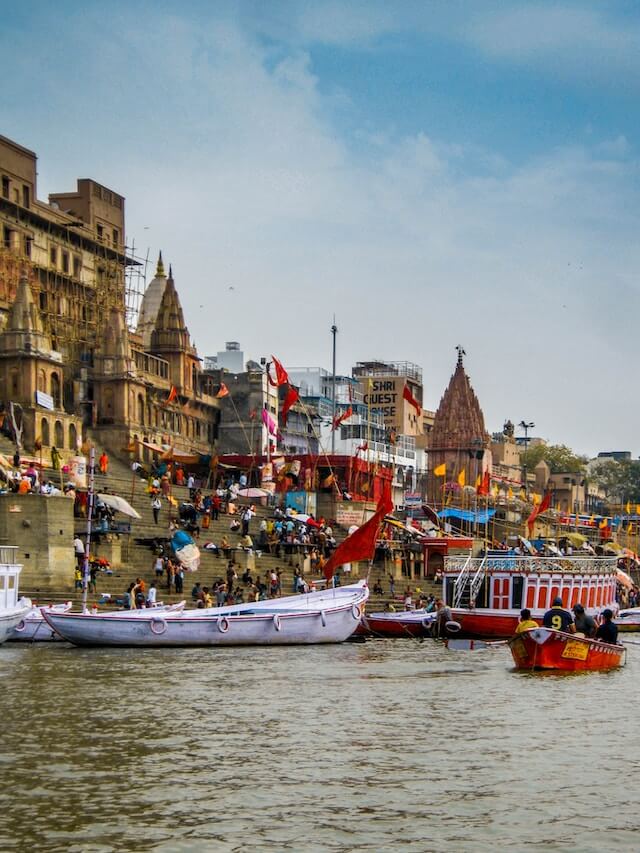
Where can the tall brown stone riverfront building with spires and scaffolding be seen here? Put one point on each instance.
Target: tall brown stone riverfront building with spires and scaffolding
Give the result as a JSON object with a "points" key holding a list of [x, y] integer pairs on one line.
{"points": [[74, 360]]}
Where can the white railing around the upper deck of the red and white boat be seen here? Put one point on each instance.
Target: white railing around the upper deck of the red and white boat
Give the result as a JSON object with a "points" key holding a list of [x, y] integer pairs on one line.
{"points": [[463, 566]]}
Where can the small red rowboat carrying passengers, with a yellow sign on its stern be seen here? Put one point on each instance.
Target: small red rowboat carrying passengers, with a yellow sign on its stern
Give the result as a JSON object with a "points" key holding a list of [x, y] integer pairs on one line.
{"points": [[544, 648]]}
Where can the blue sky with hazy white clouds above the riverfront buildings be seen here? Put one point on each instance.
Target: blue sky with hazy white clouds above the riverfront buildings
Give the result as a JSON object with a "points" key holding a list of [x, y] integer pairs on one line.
{"points": [[431, 173]]}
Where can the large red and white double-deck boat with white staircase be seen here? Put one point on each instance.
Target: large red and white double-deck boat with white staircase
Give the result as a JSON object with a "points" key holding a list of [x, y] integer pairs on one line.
{"points": [[486, 594]]}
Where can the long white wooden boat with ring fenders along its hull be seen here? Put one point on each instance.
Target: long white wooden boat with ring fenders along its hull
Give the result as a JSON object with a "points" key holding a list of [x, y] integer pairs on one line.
{"points": [[326, 616]]}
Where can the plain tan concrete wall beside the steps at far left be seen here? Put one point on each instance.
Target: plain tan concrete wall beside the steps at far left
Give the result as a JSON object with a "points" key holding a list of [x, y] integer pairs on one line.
{"points": [[42, 528]]}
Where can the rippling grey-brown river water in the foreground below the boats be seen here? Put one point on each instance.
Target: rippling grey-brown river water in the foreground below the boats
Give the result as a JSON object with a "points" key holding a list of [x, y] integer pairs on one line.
{"points": [[378, 746]]}
